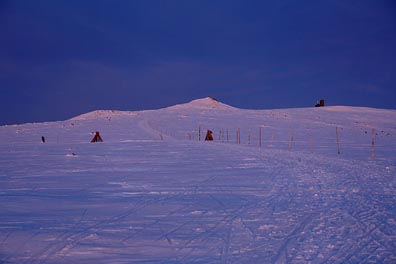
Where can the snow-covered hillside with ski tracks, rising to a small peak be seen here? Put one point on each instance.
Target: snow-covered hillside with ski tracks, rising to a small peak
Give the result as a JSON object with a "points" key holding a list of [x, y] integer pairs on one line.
{"points": [[275, 186]]}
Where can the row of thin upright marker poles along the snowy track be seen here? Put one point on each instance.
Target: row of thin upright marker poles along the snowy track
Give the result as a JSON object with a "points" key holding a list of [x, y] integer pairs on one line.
{"points": [[225, 137]]}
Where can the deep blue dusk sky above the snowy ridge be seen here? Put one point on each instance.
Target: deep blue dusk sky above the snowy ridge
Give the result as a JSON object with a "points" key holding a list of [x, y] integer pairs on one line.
{"points": [[61, 58]]}
